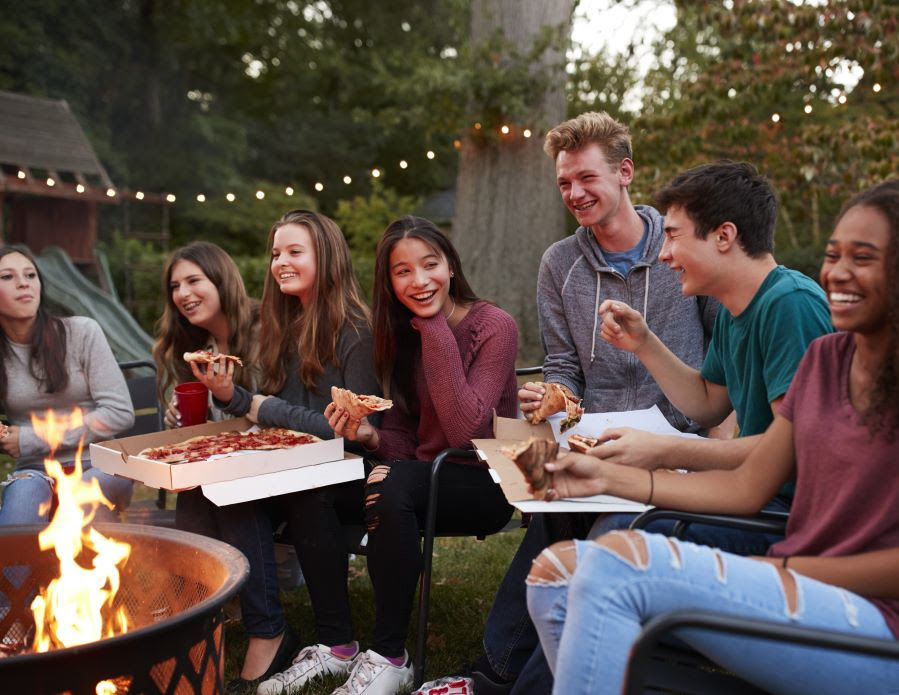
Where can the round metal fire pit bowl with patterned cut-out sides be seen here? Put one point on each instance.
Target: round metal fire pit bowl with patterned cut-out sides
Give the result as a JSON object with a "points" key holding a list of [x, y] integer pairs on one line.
{"points": [[172, 591]]}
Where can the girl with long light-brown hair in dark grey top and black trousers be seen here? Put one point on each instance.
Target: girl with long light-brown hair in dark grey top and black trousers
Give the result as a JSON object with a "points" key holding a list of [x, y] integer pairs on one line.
{"points": [[315, 334]]}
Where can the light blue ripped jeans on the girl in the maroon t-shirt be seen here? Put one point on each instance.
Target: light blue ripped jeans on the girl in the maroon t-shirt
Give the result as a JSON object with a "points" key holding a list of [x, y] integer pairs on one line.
{"points": [[611, 598]]}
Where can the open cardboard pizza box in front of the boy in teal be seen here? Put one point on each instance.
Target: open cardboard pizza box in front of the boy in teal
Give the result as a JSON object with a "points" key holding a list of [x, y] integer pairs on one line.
{"points": [[504, 471]]}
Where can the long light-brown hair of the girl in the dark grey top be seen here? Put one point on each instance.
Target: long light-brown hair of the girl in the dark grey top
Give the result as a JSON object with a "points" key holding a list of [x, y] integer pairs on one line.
{"points": [[313, 331]]}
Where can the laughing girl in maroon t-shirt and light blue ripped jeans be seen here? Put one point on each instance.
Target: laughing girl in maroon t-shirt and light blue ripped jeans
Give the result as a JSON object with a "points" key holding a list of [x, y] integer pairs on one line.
{"points": [[837, 432]]}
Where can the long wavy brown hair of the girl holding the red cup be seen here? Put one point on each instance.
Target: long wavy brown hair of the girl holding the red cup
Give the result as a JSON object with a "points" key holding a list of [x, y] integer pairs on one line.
{"points": [[177, 335]]}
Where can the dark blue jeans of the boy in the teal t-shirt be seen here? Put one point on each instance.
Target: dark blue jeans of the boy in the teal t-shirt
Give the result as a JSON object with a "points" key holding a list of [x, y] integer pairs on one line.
{"points": [[510, 640]]}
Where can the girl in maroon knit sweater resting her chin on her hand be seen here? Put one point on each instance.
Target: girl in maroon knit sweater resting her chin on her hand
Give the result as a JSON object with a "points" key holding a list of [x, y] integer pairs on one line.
{"points": [[447, 360]]}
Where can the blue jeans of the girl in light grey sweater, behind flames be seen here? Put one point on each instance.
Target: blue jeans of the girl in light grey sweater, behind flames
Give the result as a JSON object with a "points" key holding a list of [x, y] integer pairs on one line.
{"points": [[25, 491]]}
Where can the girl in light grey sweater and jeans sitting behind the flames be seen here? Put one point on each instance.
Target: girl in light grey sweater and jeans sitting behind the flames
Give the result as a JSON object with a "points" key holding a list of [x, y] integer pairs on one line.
{"points": [[52, 363]]}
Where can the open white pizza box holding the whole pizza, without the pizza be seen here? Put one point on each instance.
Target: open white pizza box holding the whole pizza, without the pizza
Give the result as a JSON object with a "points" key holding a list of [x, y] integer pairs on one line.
{"points": [[119, 457]]}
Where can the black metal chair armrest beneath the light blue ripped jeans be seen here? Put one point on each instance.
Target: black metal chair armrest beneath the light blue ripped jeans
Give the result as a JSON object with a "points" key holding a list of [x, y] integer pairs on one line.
{"points": [[662, 626]]}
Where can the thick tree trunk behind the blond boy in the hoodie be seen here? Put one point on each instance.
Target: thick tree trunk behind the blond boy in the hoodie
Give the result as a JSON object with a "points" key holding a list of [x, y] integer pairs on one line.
{"points": [[508, 209]]}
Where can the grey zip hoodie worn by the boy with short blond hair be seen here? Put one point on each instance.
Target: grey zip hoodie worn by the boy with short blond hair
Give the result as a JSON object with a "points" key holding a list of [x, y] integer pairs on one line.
{"points": [[574, 279]]}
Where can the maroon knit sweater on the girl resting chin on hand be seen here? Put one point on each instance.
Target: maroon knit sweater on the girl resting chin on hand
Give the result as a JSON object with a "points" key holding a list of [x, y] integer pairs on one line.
{"points": [[463, 375]]}
